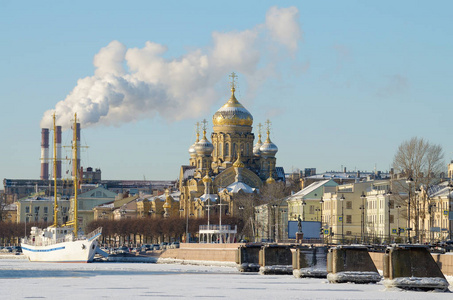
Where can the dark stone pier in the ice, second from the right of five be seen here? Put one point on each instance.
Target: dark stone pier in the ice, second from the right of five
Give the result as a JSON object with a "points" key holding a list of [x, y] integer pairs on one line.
{"points": [[351, 264]]}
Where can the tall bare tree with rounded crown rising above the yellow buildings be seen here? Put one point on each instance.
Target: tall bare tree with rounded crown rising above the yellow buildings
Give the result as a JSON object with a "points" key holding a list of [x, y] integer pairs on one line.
{"points": [[422, 162]]}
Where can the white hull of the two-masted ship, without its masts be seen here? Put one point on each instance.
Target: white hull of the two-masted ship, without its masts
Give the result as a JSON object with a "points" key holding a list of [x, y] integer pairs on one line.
{"points": [[80, 251]]}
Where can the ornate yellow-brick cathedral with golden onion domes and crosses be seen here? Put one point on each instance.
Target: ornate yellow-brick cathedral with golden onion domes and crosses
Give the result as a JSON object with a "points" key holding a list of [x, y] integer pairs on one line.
{"points": [[229, 165]]}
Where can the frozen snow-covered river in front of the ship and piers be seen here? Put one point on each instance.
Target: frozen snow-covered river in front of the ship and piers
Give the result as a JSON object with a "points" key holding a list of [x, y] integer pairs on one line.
{"points": [[21, 279]]}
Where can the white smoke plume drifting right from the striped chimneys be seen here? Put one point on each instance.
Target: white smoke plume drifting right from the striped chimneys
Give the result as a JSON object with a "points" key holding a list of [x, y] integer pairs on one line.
{"points": [[137, 83]]}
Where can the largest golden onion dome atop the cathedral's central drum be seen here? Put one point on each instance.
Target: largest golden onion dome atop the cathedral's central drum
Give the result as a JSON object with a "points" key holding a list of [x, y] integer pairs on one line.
{"points": [[232, 113]]}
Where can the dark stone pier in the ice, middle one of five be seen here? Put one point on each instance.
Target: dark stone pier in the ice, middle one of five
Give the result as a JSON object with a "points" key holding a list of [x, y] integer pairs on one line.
{"points": [[309, 262]]}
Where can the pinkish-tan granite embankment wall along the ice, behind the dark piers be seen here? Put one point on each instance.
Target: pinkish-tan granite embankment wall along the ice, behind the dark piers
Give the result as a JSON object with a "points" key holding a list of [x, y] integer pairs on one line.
{"points": [[227, 253]]}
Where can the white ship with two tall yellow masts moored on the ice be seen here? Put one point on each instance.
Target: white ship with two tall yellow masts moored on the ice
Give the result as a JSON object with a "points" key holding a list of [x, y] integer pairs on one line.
{"points": [[61, 243]]}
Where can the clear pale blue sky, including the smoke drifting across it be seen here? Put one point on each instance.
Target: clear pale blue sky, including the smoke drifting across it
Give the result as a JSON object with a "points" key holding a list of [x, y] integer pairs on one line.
{"points": [[343, 82]]}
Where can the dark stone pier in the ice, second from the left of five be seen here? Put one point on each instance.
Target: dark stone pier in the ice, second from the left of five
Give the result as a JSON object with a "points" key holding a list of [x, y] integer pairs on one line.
{"points": [[275, 259]]}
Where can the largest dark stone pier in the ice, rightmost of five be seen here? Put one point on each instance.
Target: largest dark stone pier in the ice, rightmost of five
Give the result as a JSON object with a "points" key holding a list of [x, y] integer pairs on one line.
{"points": [[412, 267]]}
